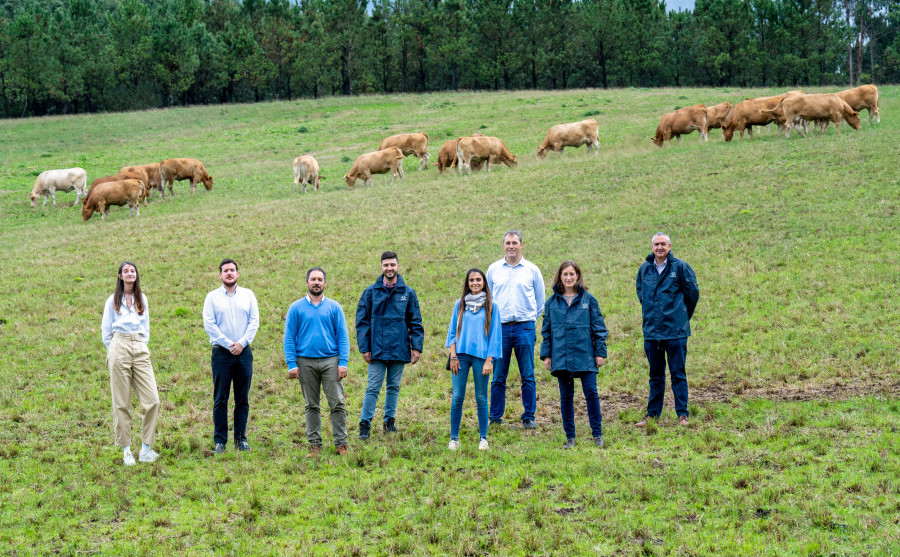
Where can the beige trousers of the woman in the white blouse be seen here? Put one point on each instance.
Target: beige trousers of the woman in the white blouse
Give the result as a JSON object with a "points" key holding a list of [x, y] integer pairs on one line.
{"points": [[129, 367]]}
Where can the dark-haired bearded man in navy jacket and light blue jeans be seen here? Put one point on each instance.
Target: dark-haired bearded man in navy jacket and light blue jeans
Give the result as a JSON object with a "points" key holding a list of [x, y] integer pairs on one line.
{"points": [[389, 334]]}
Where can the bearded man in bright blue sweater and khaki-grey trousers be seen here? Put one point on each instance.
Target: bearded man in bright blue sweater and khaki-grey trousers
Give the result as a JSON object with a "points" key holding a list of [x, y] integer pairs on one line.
{"points": [[316, 350]]}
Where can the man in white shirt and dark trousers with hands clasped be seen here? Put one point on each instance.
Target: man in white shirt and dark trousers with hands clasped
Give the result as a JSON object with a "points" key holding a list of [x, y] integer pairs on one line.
{"points": [[231, 319]]}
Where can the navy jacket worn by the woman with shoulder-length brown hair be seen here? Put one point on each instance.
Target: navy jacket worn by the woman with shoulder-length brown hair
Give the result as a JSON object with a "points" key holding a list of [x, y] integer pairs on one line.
{"points": [[573, 335]]}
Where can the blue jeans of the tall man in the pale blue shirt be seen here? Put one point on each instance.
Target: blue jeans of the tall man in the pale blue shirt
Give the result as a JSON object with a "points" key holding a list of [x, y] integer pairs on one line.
{"points": [[519, 337]]}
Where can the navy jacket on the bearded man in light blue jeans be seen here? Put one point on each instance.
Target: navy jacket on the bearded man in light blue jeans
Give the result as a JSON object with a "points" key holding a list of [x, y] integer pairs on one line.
{"points": [[388, 322]]}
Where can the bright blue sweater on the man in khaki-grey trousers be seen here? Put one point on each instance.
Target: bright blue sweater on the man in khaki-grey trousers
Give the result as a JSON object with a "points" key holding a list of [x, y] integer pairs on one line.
{"points": [[315, 332]]}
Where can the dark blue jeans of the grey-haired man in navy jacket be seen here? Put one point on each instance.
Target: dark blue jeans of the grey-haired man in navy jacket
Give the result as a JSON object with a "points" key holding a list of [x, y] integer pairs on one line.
{"points": [[658, 353]]}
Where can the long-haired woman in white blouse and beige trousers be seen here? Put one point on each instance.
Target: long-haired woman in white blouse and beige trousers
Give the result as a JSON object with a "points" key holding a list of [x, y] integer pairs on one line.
{"points": [[126, 331]]}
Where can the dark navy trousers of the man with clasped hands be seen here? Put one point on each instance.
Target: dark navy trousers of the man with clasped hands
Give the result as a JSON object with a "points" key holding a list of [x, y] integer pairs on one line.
{"points": [[228, 369]]}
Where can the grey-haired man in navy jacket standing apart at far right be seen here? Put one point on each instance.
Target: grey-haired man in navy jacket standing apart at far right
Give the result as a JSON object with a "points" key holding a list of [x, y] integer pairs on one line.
{"points": [[667, 289]]}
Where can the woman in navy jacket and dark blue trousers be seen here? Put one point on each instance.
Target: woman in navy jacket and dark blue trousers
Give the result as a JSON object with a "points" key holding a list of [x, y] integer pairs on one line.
{"points": [[574, 345]]}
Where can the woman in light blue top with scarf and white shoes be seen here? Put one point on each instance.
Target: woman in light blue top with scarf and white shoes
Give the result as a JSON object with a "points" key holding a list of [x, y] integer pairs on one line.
{"points": [[474, 339]]}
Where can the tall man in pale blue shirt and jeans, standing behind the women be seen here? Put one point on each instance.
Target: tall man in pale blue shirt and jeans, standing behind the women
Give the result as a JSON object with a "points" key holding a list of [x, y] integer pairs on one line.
{"points": [[517, 288]]}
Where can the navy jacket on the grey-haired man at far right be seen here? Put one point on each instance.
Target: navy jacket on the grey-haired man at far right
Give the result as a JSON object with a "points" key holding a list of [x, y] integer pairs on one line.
{"points": [[667, 300]]}
